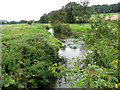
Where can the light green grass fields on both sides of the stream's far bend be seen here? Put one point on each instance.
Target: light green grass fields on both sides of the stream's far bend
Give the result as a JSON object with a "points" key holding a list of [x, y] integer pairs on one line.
{"points": [[17, 30]]}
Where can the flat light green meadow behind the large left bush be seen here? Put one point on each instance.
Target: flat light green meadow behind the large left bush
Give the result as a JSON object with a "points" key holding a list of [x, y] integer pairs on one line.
{"points": [[17, 30]]}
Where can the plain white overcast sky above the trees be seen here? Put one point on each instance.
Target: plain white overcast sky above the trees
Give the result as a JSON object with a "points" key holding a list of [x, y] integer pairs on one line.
{"points": [[33, 9]]}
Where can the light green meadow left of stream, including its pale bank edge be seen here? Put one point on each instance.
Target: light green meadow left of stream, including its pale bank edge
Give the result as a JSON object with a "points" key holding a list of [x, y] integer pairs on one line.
{"points": [[21, 31]]}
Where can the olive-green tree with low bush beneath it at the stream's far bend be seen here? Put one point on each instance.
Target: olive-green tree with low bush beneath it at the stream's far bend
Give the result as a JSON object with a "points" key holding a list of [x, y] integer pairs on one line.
{"points": [[57, 19]]}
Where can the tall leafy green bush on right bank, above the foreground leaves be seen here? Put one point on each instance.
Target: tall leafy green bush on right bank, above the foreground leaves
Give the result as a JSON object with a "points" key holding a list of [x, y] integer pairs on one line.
{"points": [[103, 40]]}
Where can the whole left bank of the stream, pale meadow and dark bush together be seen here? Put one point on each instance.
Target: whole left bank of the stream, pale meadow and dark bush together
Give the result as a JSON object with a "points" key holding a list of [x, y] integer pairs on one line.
{"points": [[28, 51]]}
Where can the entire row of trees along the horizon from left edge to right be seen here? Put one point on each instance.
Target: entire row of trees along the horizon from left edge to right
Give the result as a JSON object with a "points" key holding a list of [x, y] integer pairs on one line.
{"points": [[73, 12]]}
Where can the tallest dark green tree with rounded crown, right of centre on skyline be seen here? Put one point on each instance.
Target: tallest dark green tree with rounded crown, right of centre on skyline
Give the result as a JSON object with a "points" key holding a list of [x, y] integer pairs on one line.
{"points": [[77, 11]]}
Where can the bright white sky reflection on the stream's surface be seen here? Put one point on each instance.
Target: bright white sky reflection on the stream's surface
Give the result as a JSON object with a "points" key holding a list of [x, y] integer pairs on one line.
{"points": [[73, 48]]}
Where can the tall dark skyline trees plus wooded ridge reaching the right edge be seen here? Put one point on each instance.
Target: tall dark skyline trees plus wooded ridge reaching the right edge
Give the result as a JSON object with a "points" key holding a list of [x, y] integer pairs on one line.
{"points": [[76, 12]]}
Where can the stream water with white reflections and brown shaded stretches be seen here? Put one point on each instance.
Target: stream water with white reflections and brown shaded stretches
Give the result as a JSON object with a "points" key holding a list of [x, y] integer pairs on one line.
{"points": [[73, 48]]}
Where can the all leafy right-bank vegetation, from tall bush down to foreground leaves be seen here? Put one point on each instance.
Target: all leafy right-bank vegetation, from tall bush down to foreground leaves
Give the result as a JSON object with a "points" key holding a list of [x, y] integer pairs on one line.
{"points": [[99, 69]]}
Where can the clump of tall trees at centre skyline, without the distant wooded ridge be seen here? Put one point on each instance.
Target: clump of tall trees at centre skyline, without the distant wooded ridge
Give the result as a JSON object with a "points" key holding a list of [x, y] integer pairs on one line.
{"points": [[70, 13]]}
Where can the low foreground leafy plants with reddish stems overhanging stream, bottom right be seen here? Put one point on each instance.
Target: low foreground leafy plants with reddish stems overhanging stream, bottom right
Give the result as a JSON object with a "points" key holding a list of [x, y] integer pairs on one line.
{"points": [[87, 77]]}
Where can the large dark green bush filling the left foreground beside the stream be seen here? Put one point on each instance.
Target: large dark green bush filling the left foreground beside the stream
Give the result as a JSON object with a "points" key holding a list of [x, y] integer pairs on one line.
{"points": [[25, 62]]}
